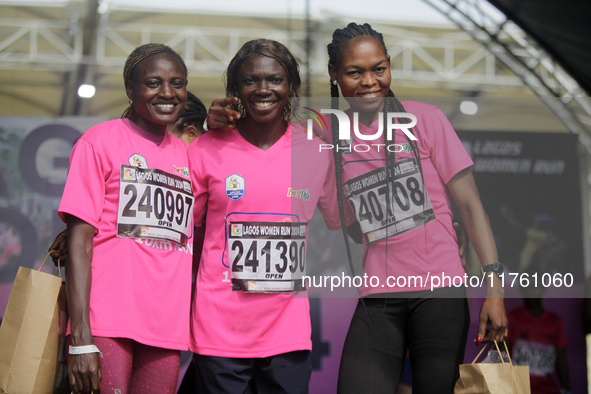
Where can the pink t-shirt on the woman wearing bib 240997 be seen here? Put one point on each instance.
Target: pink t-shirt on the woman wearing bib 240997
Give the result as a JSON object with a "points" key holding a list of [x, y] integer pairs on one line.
{"points": [[141, 288]]}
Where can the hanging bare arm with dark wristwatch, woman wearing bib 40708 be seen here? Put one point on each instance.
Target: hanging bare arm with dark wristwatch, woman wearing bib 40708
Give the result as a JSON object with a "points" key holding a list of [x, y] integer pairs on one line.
{"points": [[465, 194]]}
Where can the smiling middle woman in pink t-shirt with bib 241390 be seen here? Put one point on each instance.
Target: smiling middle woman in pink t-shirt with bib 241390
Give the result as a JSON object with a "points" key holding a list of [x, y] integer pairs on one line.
{"points": [[250, 331]]}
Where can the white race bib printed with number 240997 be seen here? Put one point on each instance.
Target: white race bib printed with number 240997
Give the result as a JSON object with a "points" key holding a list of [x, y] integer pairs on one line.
{"points": [[154, 204]]}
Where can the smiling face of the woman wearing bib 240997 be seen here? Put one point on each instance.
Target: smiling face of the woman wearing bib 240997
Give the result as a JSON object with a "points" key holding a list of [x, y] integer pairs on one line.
{"points": [[159, 92]]}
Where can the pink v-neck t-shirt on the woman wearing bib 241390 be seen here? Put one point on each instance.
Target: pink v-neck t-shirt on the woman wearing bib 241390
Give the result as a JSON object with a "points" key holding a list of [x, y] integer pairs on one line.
{"points": [[248, 194]]}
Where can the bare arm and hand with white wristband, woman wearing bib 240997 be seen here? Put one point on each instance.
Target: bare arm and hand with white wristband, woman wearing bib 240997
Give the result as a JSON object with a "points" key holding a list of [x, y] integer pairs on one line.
{"points": [[84, 369]]}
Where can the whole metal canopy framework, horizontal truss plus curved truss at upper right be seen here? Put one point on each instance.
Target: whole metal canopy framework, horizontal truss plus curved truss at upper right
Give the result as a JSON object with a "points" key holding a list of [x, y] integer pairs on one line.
{"points": [[490, 54]]}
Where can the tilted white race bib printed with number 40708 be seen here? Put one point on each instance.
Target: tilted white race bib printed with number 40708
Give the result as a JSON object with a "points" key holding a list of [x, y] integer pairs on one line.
{"points": [[386, 209]]}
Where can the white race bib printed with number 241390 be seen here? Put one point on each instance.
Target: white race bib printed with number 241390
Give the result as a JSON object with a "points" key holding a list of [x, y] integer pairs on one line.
{"points": [[267, 257]]}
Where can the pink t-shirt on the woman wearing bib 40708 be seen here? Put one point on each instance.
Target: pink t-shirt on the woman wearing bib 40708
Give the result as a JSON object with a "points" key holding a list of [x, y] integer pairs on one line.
{"points": [[423, 244]]}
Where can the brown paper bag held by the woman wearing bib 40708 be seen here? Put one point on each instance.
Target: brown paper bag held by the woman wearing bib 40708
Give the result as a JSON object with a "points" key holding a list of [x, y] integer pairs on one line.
{"points": [[483, 378]]}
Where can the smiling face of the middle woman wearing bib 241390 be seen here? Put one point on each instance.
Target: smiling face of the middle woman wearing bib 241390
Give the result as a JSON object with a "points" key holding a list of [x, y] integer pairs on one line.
{"points": [[263, 89]]}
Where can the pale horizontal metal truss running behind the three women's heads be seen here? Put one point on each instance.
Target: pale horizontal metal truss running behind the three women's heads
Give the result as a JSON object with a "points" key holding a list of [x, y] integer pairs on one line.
{"points": [[440, 57]]}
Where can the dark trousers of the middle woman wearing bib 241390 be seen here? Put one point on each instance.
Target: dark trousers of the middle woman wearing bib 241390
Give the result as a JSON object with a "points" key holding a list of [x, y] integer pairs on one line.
{"points": [[287, 373]]}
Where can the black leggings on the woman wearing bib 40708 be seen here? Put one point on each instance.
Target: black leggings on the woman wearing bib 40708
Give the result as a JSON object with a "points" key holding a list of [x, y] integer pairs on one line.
{"points": [[433, 329]]}
